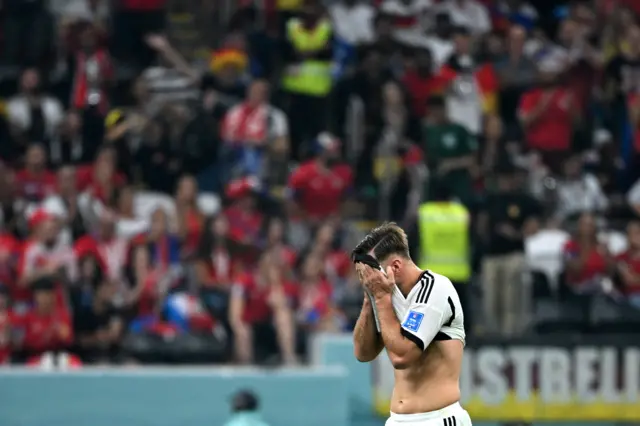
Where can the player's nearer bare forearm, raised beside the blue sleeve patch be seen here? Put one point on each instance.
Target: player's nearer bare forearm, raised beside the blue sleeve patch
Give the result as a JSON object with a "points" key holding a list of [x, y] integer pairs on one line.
{"points": [[398, 347]]}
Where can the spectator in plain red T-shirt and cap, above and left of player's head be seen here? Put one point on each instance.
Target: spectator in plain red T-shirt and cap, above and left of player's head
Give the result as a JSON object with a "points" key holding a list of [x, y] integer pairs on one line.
{"points": [[318, 187]]}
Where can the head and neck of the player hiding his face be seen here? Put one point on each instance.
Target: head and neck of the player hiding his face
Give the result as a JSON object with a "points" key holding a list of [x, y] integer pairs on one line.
{"points": [[388, 245]]}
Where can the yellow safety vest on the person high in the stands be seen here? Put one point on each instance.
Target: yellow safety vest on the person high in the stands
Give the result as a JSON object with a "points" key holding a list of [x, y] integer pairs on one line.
{"points": [[311, 77]]}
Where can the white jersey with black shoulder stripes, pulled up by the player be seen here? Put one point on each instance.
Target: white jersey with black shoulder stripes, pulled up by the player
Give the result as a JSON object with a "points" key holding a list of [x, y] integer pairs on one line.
{"points": [[431, 311]]}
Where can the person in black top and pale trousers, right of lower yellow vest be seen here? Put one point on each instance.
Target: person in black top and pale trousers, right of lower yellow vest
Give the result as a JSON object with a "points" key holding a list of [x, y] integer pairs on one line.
{"points": [[507, 216]]}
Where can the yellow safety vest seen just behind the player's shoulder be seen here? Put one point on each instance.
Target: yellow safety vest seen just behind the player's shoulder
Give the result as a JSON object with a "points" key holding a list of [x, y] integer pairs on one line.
{"points": [[444, 239]]}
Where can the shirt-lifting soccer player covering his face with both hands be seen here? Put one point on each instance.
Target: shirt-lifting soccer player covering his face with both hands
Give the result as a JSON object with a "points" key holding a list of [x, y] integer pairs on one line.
{"points": [[417, 317]]}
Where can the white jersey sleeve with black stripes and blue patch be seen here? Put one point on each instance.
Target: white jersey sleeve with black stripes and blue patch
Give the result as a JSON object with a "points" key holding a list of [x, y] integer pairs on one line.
{"points": [[427, 314]]}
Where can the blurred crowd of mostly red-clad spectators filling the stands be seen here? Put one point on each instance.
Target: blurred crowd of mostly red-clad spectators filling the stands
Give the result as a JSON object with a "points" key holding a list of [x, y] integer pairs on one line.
{"points": [[181, 181]]}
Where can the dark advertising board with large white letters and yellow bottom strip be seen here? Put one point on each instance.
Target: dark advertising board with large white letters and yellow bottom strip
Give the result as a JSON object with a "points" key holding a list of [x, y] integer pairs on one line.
{"points": [[541, 380]]}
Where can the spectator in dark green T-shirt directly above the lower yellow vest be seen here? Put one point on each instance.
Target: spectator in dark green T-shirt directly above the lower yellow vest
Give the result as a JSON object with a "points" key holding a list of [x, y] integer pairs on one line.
{"points": [[450, 152]]}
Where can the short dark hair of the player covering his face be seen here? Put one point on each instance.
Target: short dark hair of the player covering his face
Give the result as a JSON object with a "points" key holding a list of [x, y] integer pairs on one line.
{"points": [[383, 241]]}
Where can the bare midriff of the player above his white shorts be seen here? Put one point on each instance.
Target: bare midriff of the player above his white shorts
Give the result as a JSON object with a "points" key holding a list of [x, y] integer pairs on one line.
{"points": [[432, 383]]}
